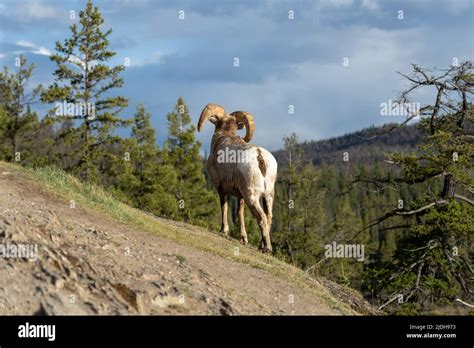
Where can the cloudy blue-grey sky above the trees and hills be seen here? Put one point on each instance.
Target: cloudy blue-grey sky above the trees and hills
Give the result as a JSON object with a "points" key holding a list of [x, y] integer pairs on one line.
{"points": [[289, 52]]}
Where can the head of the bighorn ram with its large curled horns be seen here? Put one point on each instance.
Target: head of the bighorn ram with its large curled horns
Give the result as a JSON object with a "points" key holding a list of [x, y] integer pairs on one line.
{"points": [[227, 124]]}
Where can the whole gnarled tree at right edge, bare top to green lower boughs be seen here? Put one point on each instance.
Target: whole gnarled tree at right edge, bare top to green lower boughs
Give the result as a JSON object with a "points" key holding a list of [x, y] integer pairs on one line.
{"points": [[444, 164]]}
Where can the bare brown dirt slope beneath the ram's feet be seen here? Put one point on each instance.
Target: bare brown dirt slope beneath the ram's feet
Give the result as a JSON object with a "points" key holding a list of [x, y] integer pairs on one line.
{"points": [[89, 263]]}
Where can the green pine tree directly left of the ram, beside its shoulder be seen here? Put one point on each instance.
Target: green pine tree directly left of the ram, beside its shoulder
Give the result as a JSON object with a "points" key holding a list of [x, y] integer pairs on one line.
{"points": [[195, 201]]}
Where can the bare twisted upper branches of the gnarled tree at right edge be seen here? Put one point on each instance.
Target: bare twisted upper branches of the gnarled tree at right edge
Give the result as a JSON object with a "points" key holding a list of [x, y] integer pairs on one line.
{"points": [[451, 111]]}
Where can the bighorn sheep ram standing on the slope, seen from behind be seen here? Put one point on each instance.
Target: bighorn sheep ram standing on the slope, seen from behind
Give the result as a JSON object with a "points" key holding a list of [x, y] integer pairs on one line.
{"points": [[243, 170]]}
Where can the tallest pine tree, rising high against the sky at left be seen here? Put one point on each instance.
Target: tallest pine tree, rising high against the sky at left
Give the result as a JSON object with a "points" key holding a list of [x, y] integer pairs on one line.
{"points": [[81, 89]]}
